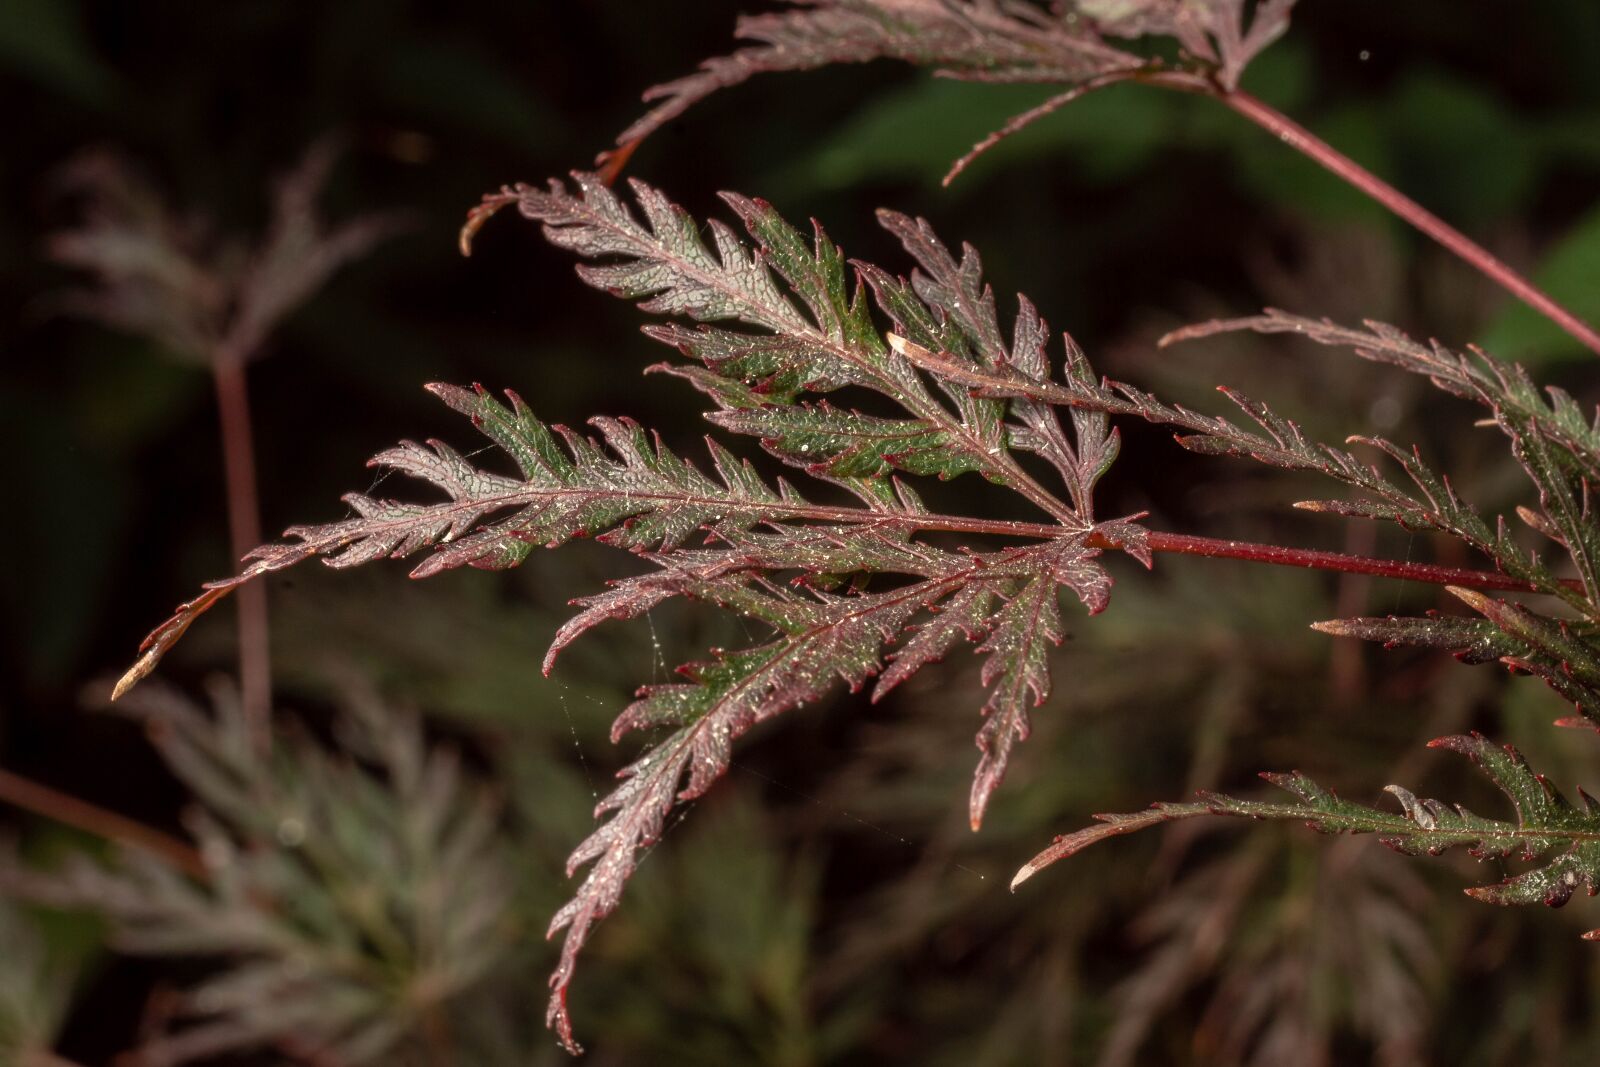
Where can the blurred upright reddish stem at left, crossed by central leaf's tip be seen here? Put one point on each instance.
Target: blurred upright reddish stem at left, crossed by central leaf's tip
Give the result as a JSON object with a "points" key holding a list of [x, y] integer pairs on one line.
{"points": [[244, 526]]}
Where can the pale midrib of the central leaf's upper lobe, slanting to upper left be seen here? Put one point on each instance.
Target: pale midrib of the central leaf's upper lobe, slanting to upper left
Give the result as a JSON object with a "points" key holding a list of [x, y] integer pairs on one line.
{"points": [[911, 393]]}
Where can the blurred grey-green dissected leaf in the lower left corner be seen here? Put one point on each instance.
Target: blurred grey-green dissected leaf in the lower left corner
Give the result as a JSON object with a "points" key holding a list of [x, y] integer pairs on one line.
{"points": [[350, 906]]}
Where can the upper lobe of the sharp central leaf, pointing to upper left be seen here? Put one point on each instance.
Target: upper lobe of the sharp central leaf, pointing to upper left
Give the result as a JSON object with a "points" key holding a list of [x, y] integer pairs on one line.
{"points": [[818, 334]]}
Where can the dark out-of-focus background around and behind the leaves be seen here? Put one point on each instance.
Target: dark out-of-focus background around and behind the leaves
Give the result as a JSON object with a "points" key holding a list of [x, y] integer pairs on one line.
{"points": [[826, 905]]}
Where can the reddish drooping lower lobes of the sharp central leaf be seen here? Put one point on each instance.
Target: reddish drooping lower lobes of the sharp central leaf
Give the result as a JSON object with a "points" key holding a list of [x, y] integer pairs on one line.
{"points": [[823, 641]]}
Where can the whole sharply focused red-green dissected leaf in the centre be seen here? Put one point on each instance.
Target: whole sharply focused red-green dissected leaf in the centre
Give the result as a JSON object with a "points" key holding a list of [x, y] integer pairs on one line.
{"points": [[838, 586]]}
